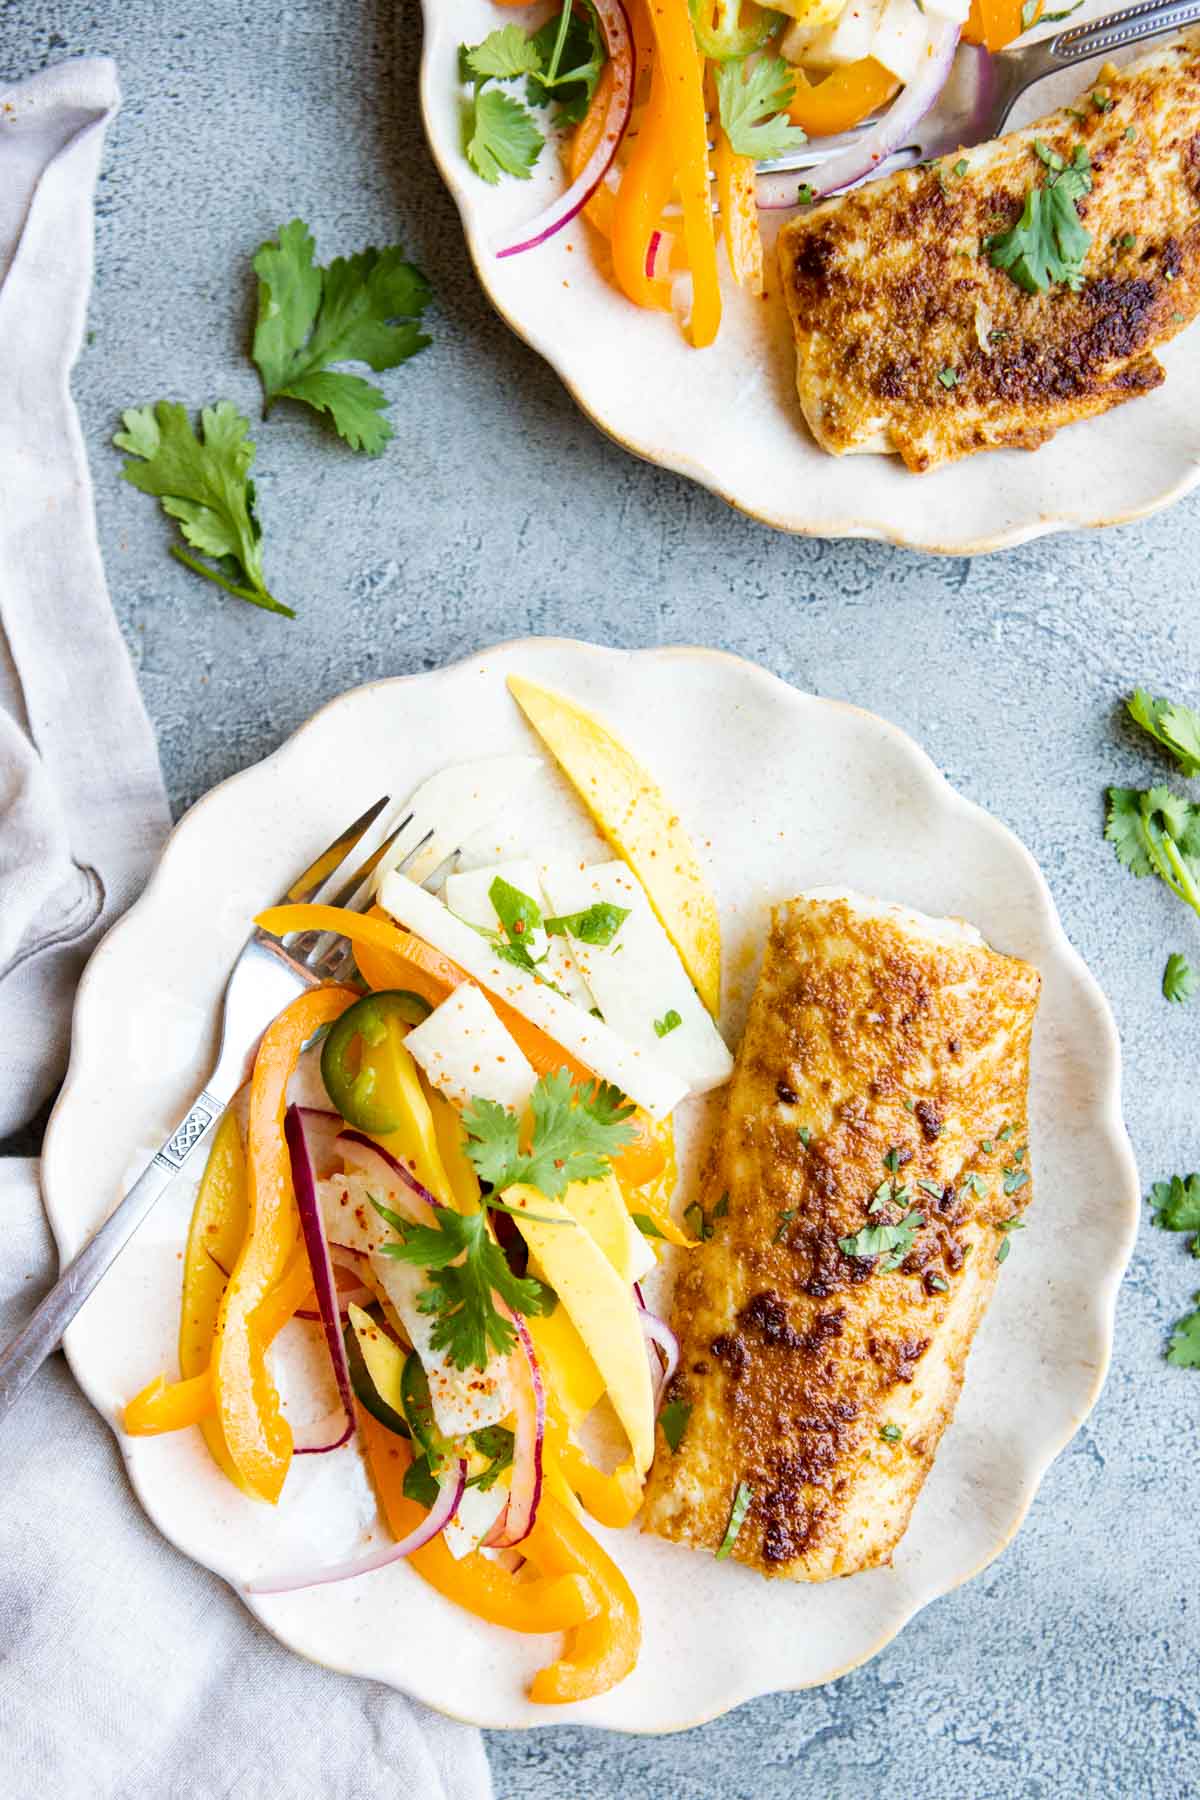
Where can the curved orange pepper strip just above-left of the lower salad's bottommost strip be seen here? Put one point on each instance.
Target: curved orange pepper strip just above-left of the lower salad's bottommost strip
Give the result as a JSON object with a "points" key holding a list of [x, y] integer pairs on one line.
{"points": [[560, 1603]]}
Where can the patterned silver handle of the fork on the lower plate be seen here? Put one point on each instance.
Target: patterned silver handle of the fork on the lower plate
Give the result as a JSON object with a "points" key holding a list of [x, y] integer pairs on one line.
{"points": [[22, 1360]]}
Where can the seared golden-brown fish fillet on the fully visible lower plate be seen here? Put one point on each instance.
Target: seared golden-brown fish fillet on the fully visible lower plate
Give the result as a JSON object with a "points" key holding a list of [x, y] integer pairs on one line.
{"points": [[882, 1048]]}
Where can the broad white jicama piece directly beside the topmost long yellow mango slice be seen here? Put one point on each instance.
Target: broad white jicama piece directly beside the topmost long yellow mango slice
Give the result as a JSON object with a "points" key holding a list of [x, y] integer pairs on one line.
{"points": [[638, 978]]}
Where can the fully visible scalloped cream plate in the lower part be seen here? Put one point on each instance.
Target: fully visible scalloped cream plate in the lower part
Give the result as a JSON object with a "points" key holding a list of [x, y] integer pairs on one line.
{"points": [[782, 793]]}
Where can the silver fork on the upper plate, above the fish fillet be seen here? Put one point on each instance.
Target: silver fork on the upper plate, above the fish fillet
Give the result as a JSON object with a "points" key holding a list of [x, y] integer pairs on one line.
{"points": [[983, 89]]}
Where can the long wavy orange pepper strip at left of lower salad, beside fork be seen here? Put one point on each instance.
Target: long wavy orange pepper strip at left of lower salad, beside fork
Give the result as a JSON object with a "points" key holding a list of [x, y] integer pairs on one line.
{"points": [[256, 1432]]}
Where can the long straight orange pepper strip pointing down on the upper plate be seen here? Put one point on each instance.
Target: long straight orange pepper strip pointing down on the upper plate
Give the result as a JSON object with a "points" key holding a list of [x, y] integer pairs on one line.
{"points": [[688, 136]]}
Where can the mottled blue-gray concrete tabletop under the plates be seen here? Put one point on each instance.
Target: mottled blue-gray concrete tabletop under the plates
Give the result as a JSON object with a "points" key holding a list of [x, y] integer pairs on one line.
{"points": [[1071, 1668]]}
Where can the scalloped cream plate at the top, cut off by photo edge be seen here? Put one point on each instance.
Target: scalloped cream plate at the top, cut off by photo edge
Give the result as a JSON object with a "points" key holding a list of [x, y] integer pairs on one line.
{"points": [[730, 417]]}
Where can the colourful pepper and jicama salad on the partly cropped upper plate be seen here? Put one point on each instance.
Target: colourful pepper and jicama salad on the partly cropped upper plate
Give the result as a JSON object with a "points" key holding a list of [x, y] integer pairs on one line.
{"points": [[670, 114]]}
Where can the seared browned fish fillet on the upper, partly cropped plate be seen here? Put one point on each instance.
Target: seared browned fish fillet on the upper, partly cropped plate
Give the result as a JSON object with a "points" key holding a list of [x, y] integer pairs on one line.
{"points": [[909, 339]]}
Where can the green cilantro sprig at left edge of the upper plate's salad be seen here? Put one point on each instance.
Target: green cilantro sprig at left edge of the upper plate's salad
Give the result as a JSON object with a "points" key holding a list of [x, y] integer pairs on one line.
{"points": [[560, 64]]}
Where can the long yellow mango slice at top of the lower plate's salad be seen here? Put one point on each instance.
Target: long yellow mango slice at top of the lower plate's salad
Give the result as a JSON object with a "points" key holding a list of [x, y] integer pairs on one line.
{"points": [[634, 814]]}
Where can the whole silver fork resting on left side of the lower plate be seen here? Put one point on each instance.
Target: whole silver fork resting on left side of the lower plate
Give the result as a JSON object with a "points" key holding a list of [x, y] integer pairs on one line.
{"points": [[265, 978]]}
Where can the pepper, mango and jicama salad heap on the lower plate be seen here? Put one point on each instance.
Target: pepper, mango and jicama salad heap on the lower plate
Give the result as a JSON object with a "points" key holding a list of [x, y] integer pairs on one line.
{"points": [[469, 1214]]}
